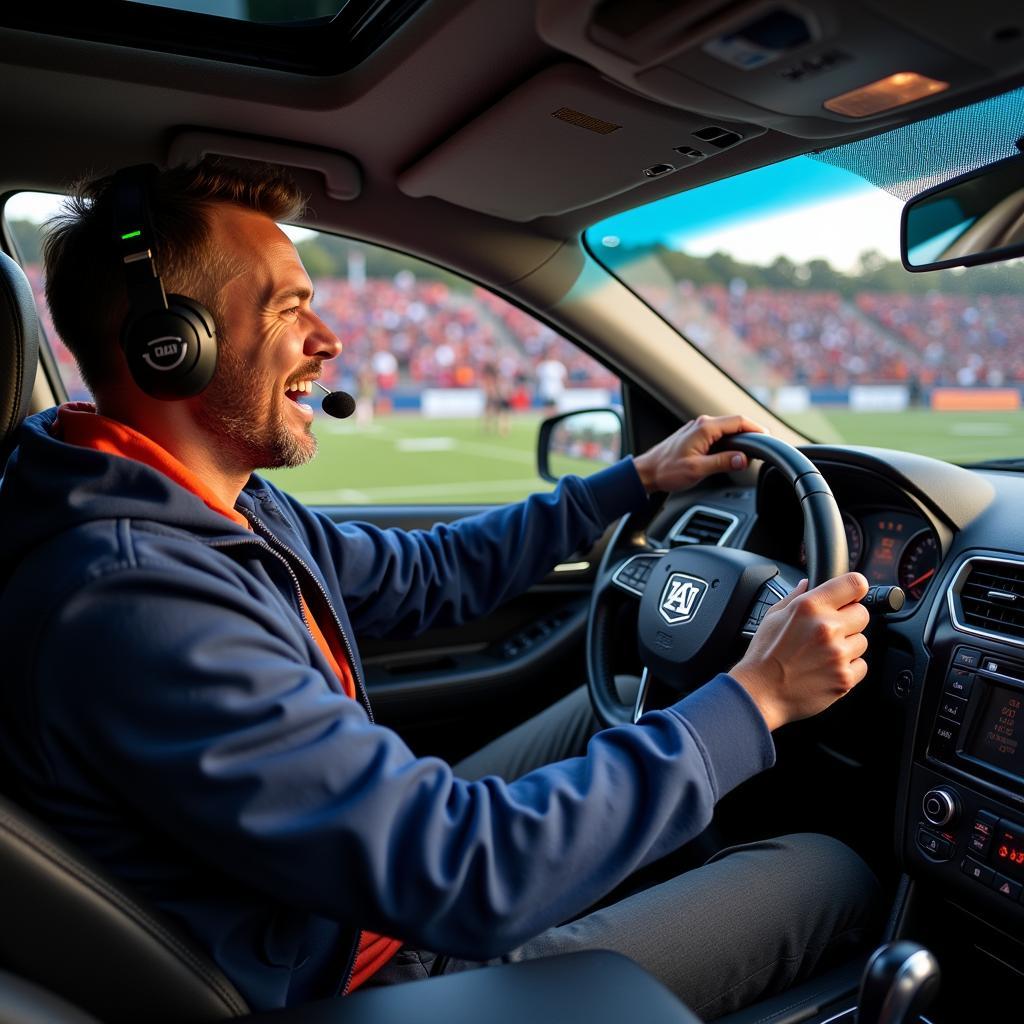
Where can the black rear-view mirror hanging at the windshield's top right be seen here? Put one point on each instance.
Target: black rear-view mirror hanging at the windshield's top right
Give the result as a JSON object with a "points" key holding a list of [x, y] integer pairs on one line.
{"points": [[976, 219]]}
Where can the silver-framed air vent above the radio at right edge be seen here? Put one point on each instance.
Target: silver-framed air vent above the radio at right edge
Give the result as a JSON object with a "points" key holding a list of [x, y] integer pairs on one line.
{"points": [[988, 598]]}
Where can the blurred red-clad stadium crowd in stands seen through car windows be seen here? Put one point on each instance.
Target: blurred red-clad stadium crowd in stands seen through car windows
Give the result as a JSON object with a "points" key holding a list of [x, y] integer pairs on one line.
{"points": [[409, 334]]}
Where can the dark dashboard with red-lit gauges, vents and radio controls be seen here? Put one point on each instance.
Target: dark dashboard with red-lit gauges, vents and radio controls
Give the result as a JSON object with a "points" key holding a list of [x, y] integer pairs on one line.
{"points": [[948, 670]]}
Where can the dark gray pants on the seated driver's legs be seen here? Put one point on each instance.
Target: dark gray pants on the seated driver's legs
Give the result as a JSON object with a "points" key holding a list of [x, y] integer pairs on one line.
{"points": [[750, 923]]}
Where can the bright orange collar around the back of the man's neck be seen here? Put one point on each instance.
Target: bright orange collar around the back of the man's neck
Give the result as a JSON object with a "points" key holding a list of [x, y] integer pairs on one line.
{"points": [[79, 423]]}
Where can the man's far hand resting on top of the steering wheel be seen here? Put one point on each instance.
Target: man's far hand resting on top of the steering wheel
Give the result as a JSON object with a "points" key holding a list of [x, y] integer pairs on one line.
{"points": [[682, 460]]}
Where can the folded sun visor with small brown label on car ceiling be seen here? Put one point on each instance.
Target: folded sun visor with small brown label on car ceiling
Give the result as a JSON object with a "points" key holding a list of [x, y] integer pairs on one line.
{"points": [[565, 140]]}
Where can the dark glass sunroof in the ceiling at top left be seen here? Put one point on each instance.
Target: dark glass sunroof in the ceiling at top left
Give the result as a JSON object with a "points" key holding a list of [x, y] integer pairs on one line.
{"points": [[308, 37]]}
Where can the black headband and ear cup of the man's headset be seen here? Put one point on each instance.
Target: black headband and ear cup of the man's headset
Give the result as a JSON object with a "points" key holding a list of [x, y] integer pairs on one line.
{"points": [[170, 342]]}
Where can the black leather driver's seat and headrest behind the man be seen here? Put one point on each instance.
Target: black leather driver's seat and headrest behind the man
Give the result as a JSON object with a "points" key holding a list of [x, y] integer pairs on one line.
{"points": [[66, 925]]}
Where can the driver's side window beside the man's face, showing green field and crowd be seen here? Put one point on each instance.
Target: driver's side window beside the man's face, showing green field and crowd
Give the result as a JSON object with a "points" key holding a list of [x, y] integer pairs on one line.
{"points": [[451, 381]]}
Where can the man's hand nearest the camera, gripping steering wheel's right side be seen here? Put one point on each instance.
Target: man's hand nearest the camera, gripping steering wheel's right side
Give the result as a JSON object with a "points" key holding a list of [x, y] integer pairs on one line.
{"points": [[808, 651]]}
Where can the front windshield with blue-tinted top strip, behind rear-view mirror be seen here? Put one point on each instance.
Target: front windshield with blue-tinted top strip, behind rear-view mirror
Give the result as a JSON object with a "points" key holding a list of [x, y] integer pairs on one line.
{"points": [[790, 279]]}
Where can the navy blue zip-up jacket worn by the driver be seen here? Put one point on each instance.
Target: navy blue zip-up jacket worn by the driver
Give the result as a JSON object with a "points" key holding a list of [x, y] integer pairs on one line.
{"points": [[165, 708]]}
